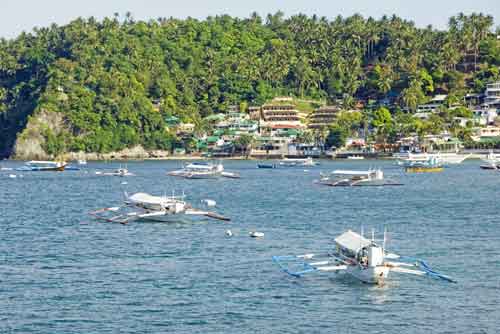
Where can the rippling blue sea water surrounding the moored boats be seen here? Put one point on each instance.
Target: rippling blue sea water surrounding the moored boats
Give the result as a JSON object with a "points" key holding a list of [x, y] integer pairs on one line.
{"points": [[61, 272]]}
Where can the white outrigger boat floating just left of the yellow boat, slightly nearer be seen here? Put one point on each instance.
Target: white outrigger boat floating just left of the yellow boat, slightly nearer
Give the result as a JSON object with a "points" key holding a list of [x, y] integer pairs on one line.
{"points": [[349, 178]]}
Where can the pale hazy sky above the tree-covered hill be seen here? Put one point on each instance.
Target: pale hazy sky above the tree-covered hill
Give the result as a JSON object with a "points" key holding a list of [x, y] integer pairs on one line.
{"points": [[23, 15]]}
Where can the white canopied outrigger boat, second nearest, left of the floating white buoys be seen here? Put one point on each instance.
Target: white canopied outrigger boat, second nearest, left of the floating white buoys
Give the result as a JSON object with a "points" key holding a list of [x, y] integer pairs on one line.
{"points": [[145, 207]]}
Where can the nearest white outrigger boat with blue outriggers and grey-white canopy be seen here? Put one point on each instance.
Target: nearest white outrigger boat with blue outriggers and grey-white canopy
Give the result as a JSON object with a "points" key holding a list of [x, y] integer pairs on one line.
{"points": [[359, 257]]}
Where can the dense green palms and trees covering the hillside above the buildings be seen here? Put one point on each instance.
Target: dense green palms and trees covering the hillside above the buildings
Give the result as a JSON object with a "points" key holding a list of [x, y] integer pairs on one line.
{"points": [[103, 76]]}
